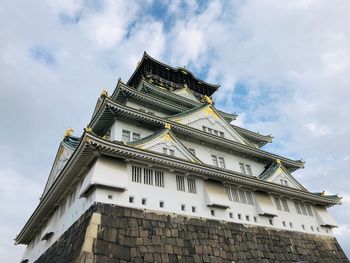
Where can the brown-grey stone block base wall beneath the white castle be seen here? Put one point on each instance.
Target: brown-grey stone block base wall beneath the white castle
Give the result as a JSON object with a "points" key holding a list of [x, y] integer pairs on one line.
{"points": [[107, 233]]}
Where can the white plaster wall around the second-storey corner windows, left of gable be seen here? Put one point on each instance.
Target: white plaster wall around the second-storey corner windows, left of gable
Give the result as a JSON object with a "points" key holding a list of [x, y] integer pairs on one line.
{"points": [[119, 126]]}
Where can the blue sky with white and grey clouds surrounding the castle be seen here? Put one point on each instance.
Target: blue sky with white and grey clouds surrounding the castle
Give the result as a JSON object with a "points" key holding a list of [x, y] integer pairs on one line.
{"points": [[283, 66]]}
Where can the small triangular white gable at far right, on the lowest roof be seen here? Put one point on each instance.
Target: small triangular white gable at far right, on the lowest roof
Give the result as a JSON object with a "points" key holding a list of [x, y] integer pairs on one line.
{"points": [[278, 174]]}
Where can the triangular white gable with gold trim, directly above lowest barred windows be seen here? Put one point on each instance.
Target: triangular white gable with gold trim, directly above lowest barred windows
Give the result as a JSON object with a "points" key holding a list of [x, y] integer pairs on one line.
{"points": [[165, 142]]}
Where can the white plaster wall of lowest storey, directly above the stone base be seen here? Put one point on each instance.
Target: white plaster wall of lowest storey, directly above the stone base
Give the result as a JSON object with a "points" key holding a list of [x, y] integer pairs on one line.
{"points": [[106, 168]]}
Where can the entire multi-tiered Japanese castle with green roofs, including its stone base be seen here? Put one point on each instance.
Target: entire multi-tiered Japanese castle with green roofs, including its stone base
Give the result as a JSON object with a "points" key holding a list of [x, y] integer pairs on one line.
{"points": [[161, 175]]}
